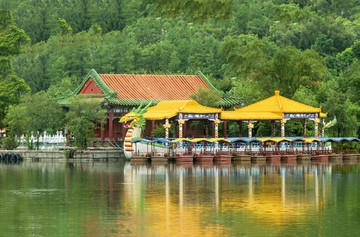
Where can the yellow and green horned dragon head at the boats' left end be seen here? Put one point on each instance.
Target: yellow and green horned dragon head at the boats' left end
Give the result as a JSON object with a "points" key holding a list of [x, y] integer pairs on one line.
{"points": [[135, 118]]}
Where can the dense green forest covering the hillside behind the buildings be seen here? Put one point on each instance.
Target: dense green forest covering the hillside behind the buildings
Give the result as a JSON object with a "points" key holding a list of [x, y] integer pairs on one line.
{"points": [[309, 50]]}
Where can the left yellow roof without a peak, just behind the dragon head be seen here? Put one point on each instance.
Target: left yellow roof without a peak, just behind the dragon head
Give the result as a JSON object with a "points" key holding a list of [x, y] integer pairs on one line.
{"points": [[169, 109]]}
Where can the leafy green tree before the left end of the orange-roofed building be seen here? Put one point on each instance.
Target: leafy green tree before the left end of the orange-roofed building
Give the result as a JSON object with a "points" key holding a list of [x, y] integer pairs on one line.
{"points": [[83, 118]]}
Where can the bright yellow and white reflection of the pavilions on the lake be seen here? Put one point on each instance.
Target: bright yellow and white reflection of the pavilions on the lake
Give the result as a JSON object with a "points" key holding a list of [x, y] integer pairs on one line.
{"points": [[174, 199]]}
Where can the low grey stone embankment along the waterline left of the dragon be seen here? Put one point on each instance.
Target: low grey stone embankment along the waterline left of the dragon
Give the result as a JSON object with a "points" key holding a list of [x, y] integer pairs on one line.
{"points": [[69, 155]]}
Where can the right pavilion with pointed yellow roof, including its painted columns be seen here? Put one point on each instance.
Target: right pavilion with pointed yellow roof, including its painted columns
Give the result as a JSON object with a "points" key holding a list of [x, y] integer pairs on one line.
{"points": [[276, 108]]}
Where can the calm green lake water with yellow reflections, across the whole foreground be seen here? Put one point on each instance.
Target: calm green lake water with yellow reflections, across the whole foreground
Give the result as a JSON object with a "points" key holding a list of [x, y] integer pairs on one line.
{"points": [[120, 199]]}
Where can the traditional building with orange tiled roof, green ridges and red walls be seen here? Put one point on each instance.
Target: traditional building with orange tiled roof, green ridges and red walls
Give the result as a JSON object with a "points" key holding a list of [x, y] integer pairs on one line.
{"points": [[119, 93]]}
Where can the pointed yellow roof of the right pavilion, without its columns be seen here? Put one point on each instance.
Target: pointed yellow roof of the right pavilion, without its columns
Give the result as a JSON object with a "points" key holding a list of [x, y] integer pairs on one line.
{"points": [[271, 108]]}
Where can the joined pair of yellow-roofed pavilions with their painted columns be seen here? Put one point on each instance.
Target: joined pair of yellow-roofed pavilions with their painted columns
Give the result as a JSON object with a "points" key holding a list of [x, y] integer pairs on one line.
{"points": [[274, 108]]}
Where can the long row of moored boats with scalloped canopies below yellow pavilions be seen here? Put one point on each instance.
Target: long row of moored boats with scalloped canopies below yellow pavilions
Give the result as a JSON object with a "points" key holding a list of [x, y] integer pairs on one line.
{"points": [[254, 150]]}
